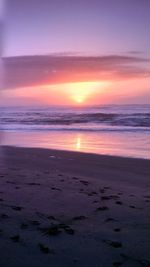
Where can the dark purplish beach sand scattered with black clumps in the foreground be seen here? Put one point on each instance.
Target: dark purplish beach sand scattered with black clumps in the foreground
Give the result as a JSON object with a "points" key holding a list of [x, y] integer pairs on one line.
{"points": [[61, 208]]}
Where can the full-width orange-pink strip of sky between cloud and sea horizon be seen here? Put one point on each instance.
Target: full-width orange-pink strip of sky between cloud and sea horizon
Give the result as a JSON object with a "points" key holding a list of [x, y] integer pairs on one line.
{"points": [[78, 93]]}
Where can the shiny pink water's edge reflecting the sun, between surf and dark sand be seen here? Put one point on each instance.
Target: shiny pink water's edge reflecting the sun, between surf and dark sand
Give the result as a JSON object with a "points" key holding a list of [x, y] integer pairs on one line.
{"points": [[104, 143]]}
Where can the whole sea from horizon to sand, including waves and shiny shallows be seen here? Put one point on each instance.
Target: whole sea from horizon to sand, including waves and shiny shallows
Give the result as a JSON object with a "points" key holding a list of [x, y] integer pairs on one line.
{"points": [[120, 130]]}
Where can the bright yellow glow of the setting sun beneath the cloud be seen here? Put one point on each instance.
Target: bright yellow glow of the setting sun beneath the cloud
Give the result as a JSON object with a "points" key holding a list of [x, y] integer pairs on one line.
{"points": [[74, 93]]}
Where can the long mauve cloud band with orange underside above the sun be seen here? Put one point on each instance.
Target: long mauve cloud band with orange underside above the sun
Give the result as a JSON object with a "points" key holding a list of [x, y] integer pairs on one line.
{"points": [[33, 70]]}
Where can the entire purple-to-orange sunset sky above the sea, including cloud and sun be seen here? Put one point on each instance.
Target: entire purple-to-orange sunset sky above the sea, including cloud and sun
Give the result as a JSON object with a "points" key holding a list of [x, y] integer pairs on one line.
{"points": [[76, 52]]}
